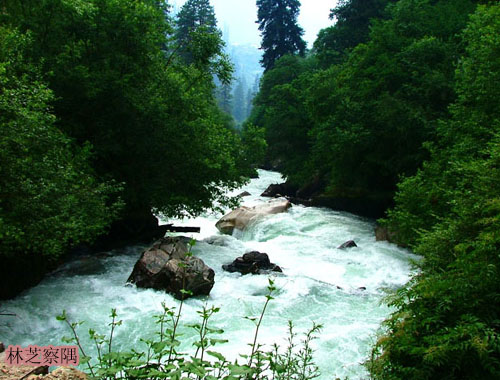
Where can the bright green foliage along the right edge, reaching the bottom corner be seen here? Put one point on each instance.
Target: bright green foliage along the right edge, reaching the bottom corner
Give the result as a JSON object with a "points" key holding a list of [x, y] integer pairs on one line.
{"points": [[446, 322]]}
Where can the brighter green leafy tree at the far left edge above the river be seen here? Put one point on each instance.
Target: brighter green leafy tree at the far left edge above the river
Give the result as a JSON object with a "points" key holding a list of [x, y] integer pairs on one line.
{"points": [[50, 199]]}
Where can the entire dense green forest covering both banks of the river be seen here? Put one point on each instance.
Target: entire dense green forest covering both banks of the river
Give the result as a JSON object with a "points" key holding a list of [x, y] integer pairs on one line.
{"points": [[110, 114]]}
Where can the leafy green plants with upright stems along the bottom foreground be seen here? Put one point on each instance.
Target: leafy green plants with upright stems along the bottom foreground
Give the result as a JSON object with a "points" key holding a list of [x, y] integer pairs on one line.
{"points": [[163, 360]]}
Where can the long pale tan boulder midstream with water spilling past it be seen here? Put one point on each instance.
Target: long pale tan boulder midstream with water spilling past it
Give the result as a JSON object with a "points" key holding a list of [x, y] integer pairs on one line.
{"points": [[242, 216]]}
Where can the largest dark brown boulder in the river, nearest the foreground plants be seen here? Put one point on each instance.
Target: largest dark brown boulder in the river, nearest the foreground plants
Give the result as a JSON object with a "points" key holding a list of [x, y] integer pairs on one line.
{"points": [[168, 266]]}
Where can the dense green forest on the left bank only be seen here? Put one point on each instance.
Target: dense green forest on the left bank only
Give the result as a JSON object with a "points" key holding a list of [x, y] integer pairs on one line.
{"points": [[107, 113]]}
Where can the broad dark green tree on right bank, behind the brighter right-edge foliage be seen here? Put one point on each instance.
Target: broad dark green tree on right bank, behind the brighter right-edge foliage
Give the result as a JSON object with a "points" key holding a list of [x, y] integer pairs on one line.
{"points": [[373, 112]]}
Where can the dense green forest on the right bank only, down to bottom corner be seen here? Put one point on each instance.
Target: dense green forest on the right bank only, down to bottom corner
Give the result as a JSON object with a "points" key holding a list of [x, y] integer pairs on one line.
{"points": [[397, 104]]}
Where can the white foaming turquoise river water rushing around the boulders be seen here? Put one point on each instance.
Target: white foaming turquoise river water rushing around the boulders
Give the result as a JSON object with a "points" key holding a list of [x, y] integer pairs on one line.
{"points": [[320, 284]]}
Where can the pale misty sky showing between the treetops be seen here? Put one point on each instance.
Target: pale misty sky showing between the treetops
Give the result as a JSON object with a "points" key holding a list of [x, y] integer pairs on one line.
{"points": [[238, 16]]}
